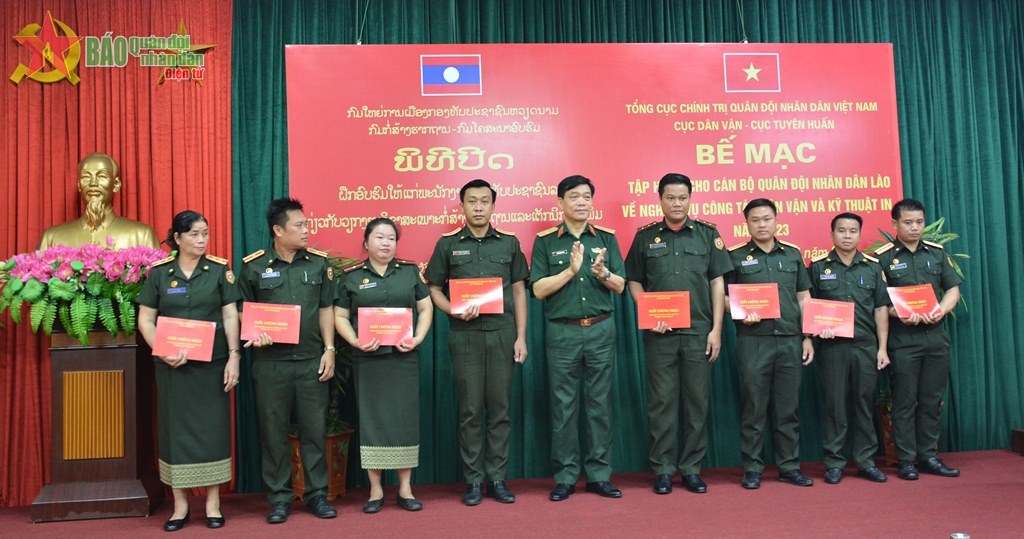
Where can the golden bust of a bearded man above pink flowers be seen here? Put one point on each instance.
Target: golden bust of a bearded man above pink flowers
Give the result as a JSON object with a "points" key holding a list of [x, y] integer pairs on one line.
{"points": [[99, 180]]}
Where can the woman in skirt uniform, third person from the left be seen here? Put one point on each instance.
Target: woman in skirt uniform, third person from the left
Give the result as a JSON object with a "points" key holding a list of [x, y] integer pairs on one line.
{"points": [[388, 379]]}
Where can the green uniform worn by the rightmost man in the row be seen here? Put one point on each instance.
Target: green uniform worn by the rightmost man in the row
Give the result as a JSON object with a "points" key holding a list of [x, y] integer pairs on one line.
{"points": [[920, 355]]}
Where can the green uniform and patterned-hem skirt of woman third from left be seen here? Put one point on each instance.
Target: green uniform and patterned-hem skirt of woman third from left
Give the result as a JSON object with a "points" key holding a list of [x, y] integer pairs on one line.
{"points": [[388, 382]]}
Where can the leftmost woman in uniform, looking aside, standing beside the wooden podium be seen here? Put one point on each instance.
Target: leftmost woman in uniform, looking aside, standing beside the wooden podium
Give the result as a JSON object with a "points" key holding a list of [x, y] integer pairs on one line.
{"points": [[193, 400]]}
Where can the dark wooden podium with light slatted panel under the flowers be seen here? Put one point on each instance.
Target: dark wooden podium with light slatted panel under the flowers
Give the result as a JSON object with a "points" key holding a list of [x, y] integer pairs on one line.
{"points": [[103, 460]]}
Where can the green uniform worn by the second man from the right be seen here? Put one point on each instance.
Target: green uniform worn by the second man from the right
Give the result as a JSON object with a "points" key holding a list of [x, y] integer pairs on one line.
{"points": [[848, 367]]}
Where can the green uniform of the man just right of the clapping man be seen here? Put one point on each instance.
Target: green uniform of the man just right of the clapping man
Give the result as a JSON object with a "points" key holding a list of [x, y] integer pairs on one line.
{"points": [[663, 260]]}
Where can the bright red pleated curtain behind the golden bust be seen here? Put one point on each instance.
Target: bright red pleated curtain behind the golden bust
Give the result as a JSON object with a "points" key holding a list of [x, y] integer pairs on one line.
{"points": [[173, 143]]}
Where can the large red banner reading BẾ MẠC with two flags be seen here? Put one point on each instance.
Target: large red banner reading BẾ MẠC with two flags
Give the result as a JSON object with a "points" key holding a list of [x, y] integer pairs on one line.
{"points": [[397, 131]]}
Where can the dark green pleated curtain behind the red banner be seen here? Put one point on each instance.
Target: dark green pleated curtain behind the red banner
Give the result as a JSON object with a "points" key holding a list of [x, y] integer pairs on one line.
{"points": [[959, 78]]}
